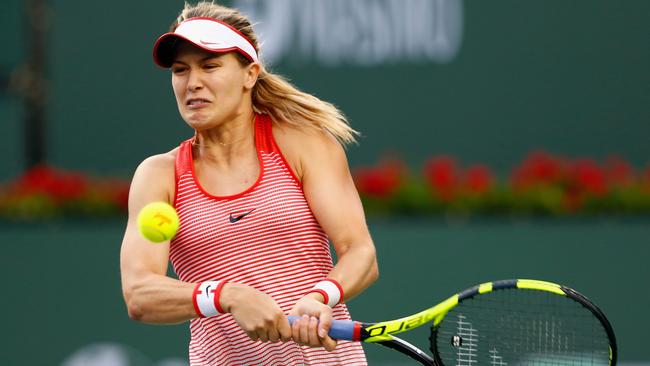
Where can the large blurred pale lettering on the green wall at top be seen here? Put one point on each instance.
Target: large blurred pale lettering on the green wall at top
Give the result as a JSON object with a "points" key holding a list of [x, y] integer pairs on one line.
{"points": [[358, 32]]}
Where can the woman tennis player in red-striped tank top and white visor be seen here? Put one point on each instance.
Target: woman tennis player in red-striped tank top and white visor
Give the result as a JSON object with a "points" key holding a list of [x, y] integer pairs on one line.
{"points": [[261, 189]]}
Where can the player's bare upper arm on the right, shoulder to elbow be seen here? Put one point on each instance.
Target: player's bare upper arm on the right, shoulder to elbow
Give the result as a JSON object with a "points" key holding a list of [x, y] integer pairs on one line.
{"points": [[321, 165]]}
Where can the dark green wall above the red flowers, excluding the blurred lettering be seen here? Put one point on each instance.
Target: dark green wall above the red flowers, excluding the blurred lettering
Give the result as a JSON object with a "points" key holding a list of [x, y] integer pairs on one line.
{"points": [[571, 77]]}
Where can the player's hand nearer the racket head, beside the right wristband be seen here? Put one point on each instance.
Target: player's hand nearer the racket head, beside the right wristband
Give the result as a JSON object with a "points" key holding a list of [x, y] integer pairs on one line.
{"points": [[314, 323]]}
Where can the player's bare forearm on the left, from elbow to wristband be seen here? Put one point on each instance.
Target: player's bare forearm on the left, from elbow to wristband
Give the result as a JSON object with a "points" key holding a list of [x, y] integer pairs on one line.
{"points": [[159, 299]]}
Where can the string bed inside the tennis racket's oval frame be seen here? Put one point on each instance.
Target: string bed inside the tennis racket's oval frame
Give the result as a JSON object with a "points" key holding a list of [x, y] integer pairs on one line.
{"points": [[521, 327]]}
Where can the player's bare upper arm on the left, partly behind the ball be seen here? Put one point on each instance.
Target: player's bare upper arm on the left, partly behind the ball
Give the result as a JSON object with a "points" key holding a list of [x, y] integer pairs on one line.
{"points": [[152, 181]]}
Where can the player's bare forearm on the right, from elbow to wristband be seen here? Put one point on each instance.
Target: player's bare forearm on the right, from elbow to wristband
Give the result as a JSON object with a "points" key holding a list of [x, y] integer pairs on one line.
{"points": [[355, 270]]}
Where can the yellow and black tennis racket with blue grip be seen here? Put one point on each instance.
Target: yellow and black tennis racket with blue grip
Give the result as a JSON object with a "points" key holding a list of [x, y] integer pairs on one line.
{"points": [[508, 322]]}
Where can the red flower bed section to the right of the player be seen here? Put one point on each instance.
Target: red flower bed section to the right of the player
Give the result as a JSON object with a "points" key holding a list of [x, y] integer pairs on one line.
{"points": [[541, 184]]}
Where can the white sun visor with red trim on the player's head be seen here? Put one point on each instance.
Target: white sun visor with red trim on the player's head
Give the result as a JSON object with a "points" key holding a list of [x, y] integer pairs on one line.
{"points": [[206, 33]]}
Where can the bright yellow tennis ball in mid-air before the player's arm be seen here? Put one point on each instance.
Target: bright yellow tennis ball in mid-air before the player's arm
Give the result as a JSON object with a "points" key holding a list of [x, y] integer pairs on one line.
{"points": [[158, 222]]}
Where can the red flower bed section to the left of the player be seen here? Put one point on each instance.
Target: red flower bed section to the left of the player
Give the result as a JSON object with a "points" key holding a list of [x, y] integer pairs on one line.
{"points": [[44, 192]]}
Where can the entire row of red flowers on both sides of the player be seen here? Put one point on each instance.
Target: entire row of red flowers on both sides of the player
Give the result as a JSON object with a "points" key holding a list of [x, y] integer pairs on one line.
{"points": [[541, 184]]}
